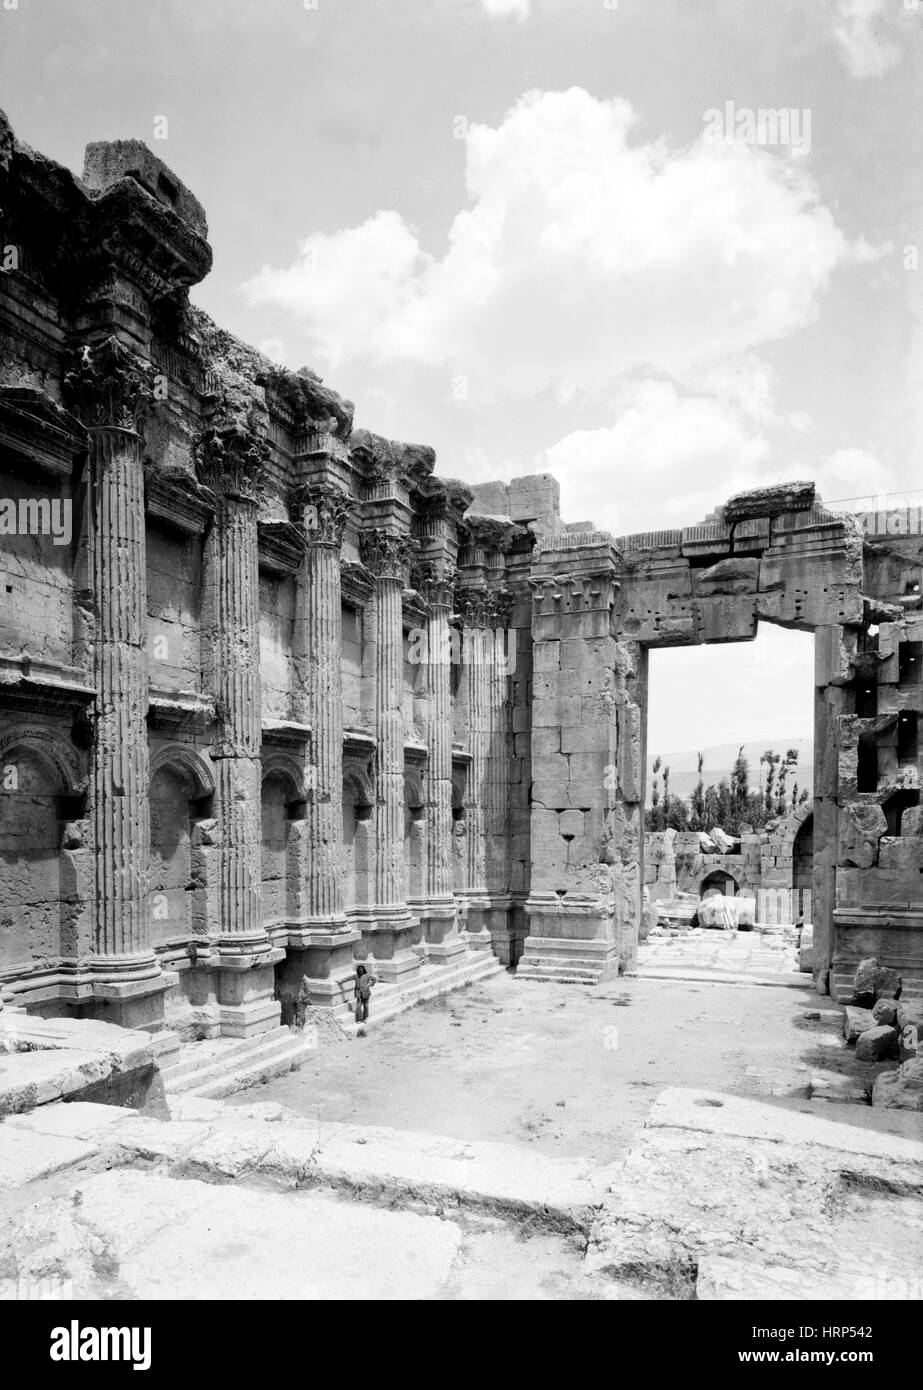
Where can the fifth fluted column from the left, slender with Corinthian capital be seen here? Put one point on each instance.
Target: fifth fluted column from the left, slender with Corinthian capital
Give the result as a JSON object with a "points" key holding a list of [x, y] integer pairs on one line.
{"points": [[434, 582]]}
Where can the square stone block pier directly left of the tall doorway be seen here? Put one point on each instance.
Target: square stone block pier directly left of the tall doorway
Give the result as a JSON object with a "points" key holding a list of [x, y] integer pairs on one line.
{"points": [[578, 825]]}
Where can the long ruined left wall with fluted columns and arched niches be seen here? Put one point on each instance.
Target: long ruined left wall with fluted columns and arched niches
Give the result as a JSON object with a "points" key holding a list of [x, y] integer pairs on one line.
{"points": [[218, 755]]}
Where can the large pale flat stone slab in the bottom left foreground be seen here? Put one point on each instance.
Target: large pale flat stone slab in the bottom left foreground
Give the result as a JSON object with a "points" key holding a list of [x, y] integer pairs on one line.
{"points": [[133, 1235]]}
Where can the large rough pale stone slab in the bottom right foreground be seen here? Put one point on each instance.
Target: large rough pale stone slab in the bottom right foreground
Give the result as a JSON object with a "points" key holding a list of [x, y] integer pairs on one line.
{"points": [[721, 1177]]}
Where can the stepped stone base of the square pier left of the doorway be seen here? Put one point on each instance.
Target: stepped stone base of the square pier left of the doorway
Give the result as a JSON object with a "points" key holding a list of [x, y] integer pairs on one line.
{"points": [[572, 939]]}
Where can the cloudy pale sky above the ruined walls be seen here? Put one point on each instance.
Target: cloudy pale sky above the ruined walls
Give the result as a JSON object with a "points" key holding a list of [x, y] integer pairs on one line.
{"points": [[546, 236]]}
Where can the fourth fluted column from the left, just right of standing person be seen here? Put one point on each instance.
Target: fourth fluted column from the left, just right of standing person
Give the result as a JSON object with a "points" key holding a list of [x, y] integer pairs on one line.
{"points": [[390, 938]]}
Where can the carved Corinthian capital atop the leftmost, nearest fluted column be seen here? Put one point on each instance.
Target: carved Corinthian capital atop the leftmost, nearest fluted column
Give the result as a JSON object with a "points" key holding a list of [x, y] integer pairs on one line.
{"points": [[111, 386]]}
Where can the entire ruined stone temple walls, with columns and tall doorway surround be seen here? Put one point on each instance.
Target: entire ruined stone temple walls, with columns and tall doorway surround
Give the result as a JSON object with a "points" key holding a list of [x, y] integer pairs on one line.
{"points": [[276, 697]]}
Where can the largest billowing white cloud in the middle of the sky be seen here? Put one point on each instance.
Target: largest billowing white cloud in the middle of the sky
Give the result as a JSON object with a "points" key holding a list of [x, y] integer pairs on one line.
{"points": [[583, 256]]}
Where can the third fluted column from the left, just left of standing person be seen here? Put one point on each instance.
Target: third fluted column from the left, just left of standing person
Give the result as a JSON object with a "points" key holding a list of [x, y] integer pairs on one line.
{"points": [[322, 946]]}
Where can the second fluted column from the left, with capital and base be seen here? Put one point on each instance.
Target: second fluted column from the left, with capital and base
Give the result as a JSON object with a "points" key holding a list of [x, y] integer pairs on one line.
{"points": [[231, 465]]}
